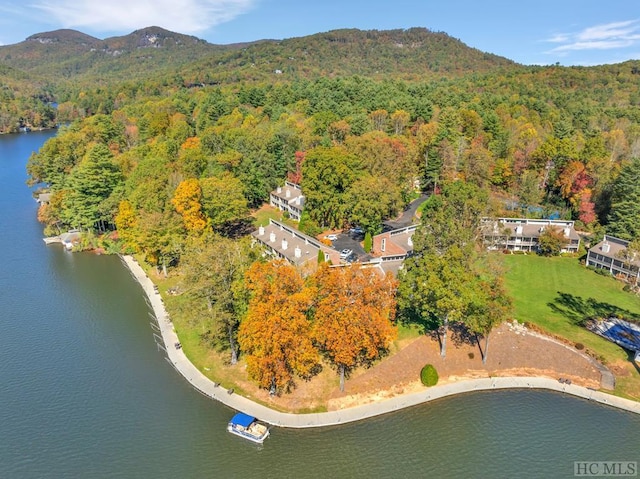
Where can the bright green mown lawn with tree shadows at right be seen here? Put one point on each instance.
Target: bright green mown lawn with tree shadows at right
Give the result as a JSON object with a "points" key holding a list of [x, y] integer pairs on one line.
{"points": [[558, 293]]}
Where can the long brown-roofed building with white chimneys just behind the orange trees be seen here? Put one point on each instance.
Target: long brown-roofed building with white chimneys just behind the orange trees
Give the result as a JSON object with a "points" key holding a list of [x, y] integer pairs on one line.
{"points": [[282, 241]]}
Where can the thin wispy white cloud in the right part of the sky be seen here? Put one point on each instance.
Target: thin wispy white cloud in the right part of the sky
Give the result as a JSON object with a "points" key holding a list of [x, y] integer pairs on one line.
{"points": [[607, 36]]}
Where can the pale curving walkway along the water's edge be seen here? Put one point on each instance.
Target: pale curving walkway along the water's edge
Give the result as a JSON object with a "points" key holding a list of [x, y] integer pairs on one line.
{"points": [[204, 385]]}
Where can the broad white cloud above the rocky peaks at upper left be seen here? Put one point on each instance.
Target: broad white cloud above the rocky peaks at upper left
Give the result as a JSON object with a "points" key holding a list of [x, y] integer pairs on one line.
{"points": [[184, 16]]}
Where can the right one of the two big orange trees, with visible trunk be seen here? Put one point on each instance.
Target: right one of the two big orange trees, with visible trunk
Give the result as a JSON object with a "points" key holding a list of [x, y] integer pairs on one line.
{"points": [[353, 314]]}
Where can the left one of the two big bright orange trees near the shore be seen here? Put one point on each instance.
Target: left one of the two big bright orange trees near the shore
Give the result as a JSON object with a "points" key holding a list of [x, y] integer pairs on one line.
{"points": [[275, 334]]}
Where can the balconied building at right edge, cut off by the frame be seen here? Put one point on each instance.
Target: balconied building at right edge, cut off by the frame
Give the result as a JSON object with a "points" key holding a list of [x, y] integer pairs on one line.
{"points": [[609, 254]]}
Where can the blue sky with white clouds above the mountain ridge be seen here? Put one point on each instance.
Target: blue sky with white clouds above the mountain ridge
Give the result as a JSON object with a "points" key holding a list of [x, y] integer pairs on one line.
{"points": [[570, 32]]}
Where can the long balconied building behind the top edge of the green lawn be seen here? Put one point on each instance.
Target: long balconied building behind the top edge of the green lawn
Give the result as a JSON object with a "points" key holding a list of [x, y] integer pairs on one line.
{"points": [[522, 234]]}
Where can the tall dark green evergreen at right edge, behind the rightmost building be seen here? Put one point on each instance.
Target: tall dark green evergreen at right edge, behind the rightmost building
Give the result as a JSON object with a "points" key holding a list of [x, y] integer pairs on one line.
{"points": [[623, 220]]}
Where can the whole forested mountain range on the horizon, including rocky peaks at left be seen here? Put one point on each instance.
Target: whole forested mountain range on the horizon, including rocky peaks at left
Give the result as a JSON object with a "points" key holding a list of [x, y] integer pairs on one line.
{"points": [[413, 53]]}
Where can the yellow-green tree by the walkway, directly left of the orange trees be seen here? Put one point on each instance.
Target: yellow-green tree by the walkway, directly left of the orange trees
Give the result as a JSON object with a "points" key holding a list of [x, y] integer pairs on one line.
{"points": [[213, 270]]}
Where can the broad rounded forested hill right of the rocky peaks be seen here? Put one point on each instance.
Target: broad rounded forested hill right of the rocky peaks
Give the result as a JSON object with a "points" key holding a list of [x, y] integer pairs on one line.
{"points": [[411, 54]]}
